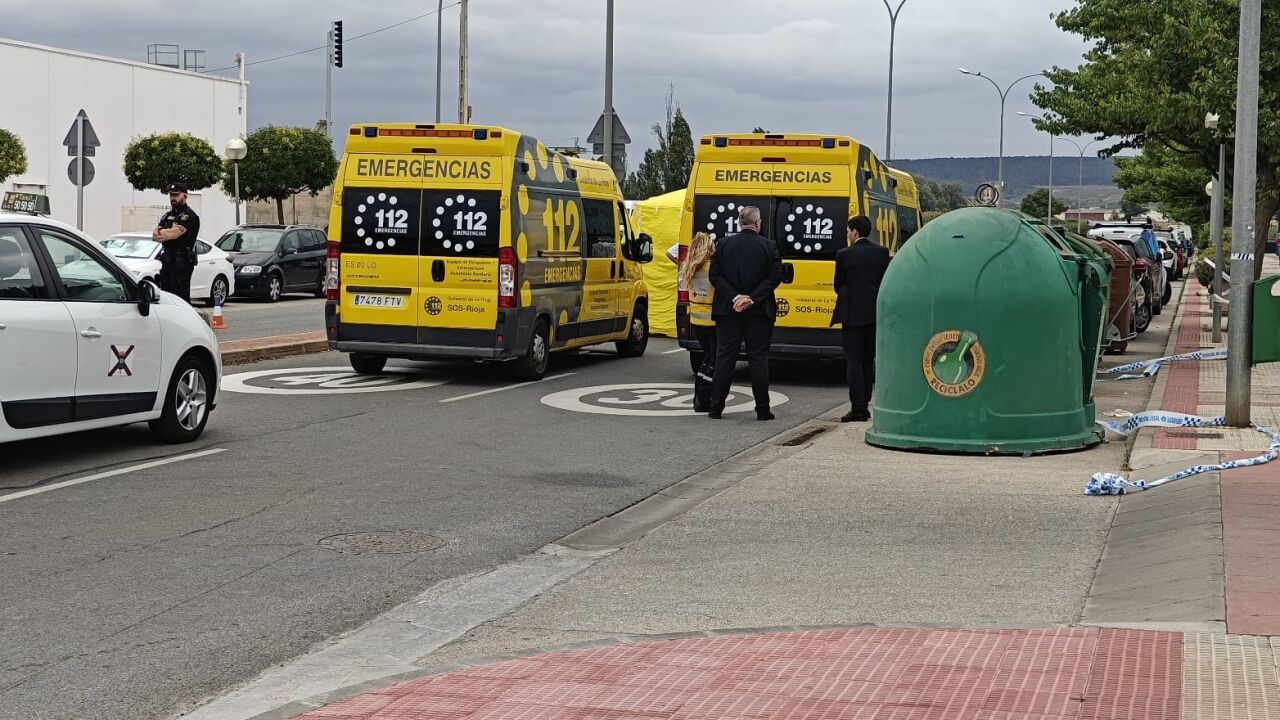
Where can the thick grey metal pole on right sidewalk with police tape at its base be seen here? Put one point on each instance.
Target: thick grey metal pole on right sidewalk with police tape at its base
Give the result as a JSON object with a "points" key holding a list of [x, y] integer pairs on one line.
{"points": [[1245, 206]]}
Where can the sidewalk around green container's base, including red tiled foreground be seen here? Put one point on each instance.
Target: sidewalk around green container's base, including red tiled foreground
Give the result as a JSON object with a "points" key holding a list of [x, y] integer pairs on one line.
{"points": [[834, 580]]}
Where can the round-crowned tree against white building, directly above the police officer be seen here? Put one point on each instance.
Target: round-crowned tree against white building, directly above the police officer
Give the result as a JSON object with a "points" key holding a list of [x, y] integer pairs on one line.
{"points": [[156, 161]]}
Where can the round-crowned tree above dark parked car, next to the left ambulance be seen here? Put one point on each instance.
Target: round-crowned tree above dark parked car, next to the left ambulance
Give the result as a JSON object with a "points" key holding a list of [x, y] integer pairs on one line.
{"points": [[284, 162]]}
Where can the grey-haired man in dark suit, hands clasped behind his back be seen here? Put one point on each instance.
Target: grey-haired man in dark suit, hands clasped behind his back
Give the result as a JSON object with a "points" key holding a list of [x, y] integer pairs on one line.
{"points": [[746, 272]]}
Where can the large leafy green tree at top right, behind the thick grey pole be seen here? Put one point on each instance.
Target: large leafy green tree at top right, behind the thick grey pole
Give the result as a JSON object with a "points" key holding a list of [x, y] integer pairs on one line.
{"points": [[1153, 75]]}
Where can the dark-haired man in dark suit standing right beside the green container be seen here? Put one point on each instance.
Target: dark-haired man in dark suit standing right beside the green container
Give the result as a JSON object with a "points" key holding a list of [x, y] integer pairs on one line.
{"points": [[860, 271]]}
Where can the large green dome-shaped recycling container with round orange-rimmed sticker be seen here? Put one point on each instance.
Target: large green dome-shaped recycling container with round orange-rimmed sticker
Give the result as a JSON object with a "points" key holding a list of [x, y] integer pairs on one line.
{"points": [[989, 335]]}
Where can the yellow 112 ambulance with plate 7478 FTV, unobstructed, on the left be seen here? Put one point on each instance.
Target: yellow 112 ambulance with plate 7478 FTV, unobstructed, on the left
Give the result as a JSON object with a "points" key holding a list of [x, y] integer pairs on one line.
{"points": [[478, 243]]}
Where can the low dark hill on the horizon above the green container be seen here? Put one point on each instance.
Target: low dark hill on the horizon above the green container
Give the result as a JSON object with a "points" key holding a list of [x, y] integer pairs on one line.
{"points": [[1023, 175]]}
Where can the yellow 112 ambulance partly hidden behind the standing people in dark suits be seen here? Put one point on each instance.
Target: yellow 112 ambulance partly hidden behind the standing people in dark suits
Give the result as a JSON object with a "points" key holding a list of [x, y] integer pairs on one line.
{"points": [[807, 188]]}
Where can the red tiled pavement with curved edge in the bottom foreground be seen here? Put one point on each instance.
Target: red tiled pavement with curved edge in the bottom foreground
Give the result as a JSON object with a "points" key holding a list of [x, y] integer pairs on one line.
{"points": [[872, 675]]}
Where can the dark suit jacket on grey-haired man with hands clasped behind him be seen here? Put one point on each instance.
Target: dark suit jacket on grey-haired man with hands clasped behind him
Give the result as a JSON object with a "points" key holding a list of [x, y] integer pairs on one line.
{"points": [[747, 263]]}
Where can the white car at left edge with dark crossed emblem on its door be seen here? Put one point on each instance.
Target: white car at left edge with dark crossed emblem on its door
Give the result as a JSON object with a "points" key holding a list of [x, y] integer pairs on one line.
{"points": [[86, 347]]}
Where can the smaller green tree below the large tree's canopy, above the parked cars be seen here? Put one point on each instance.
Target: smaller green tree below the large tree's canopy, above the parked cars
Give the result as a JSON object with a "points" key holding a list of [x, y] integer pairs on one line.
{"points": [[1174, 183]]}
